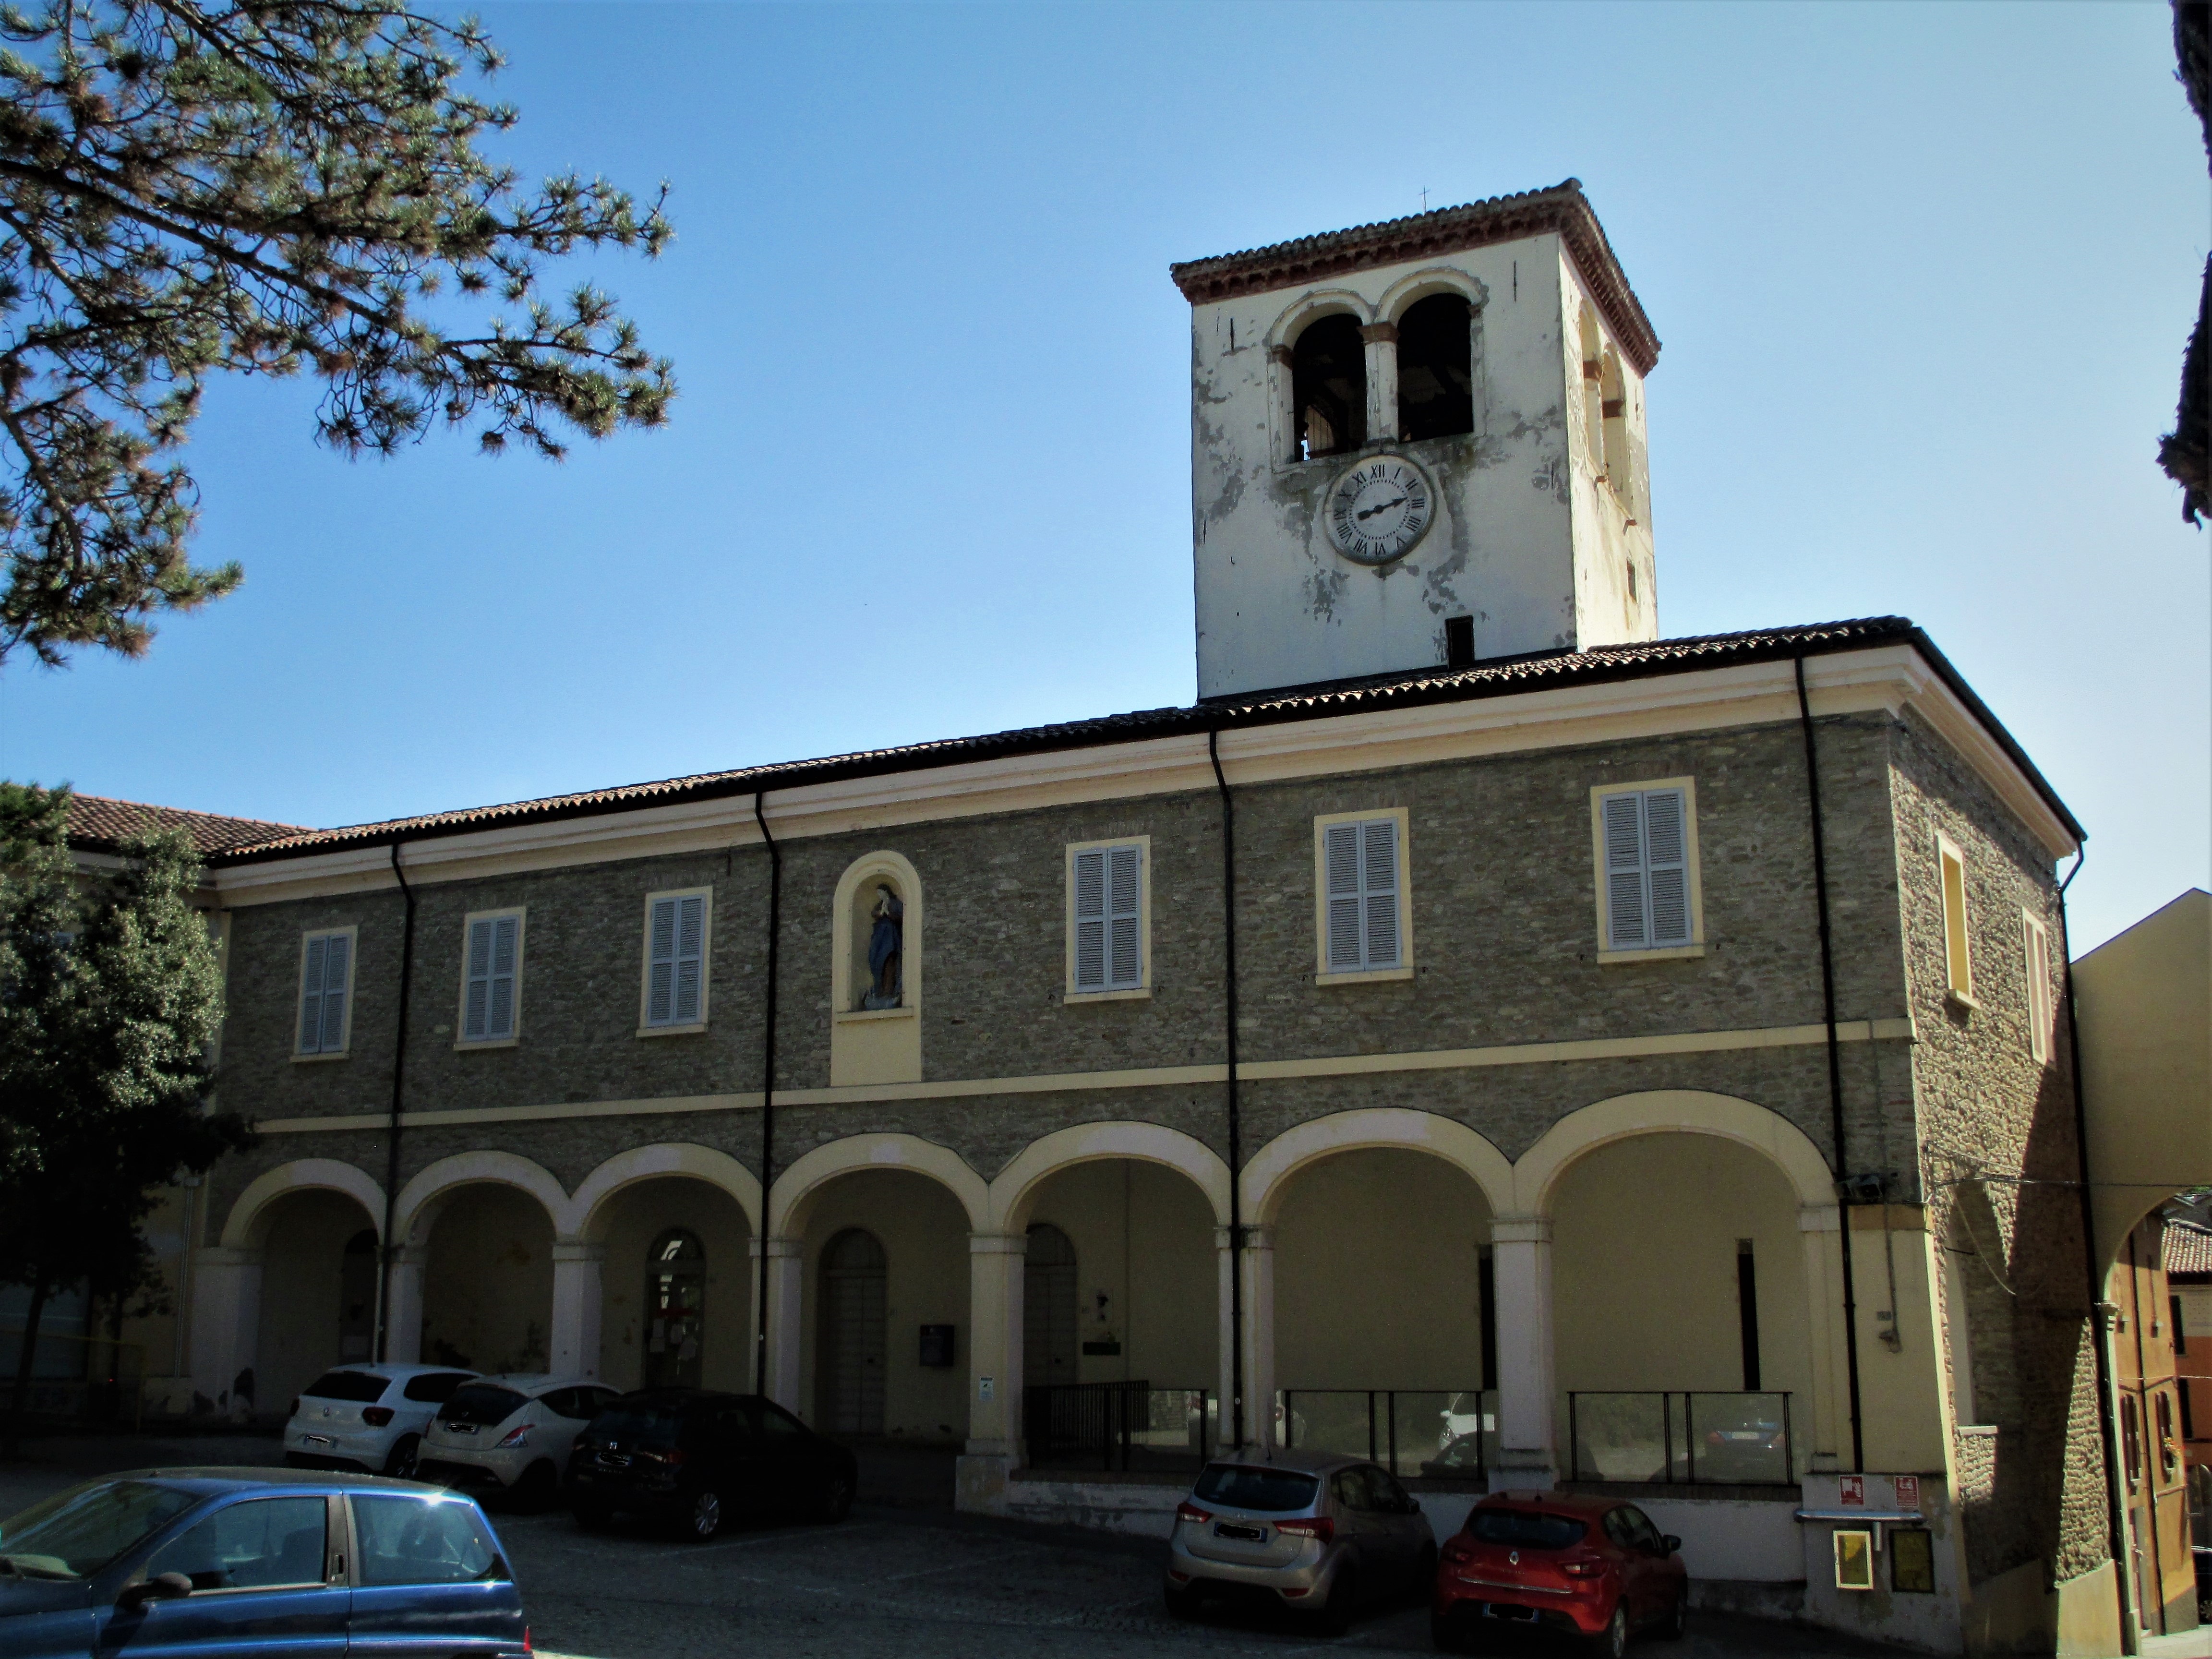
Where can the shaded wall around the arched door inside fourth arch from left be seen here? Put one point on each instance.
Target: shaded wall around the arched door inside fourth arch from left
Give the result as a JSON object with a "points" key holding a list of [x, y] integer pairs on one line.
{"points": [[924, 1235]]}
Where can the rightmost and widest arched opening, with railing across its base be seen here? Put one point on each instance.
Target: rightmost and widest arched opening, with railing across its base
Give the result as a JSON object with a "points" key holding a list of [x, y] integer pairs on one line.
{"points": [[1682, 1333]]}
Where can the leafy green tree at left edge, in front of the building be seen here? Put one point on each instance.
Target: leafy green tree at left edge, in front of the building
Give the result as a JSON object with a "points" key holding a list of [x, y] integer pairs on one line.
{"points": [[109, 999]]}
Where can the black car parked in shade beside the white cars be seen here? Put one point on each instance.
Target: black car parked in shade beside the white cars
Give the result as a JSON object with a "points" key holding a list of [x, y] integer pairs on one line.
{"points": [[705, 1459]]}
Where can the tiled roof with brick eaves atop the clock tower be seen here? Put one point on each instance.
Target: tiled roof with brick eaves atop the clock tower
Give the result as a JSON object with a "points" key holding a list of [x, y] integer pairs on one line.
{"points": [[1563, 209]]}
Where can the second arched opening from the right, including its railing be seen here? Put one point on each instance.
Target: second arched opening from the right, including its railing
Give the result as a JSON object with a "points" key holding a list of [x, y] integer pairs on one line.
{"points": [[1384, 1331]]}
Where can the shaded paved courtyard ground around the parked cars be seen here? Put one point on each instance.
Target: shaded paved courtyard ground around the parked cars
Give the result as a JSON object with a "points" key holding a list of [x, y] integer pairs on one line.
{"points": [[919, 1583]]}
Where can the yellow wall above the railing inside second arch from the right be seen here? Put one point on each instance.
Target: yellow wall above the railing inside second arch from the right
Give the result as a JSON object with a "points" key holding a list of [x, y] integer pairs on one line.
{"points": [[1377, 1275]]}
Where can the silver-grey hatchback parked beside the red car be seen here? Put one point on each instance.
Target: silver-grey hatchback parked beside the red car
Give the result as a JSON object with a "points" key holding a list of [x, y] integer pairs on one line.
{"points": [[1313, 1534]]}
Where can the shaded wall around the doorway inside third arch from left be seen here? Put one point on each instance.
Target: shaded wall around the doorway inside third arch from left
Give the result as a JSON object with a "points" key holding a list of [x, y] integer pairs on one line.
{"points": [[638, 1218]]}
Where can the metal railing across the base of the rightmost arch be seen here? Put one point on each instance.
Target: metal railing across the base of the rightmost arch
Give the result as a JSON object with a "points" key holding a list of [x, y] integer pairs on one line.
{"points": [[1680, 1439]]}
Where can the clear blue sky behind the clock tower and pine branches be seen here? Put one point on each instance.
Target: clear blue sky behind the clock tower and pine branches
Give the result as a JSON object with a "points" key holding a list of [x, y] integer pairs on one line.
{"points": [[1923, 275]]}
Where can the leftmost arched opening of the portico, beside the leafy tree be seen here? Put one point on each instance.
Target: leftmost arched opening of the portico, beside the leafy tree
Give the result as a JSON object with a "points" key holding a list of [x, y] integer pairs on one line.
{"points": [[317, 1293]]}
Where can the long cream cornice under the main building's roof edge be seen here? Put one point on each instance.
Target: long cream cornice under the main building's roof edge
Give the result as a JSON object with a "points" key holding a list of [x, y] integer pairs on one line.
{"points": [[1879, 678]]}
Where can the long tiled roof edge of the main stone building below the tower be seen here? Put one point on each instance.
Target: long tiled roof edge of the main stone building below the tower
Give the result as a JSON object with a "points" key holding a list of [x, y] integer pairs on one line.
{"points": [[1501, 678]]}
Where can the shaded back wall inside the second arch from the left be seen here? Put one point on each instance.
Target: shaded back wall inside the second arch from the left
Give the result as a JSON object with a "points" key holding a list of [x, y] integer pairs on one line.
{"points": [[488, 1288]]}
